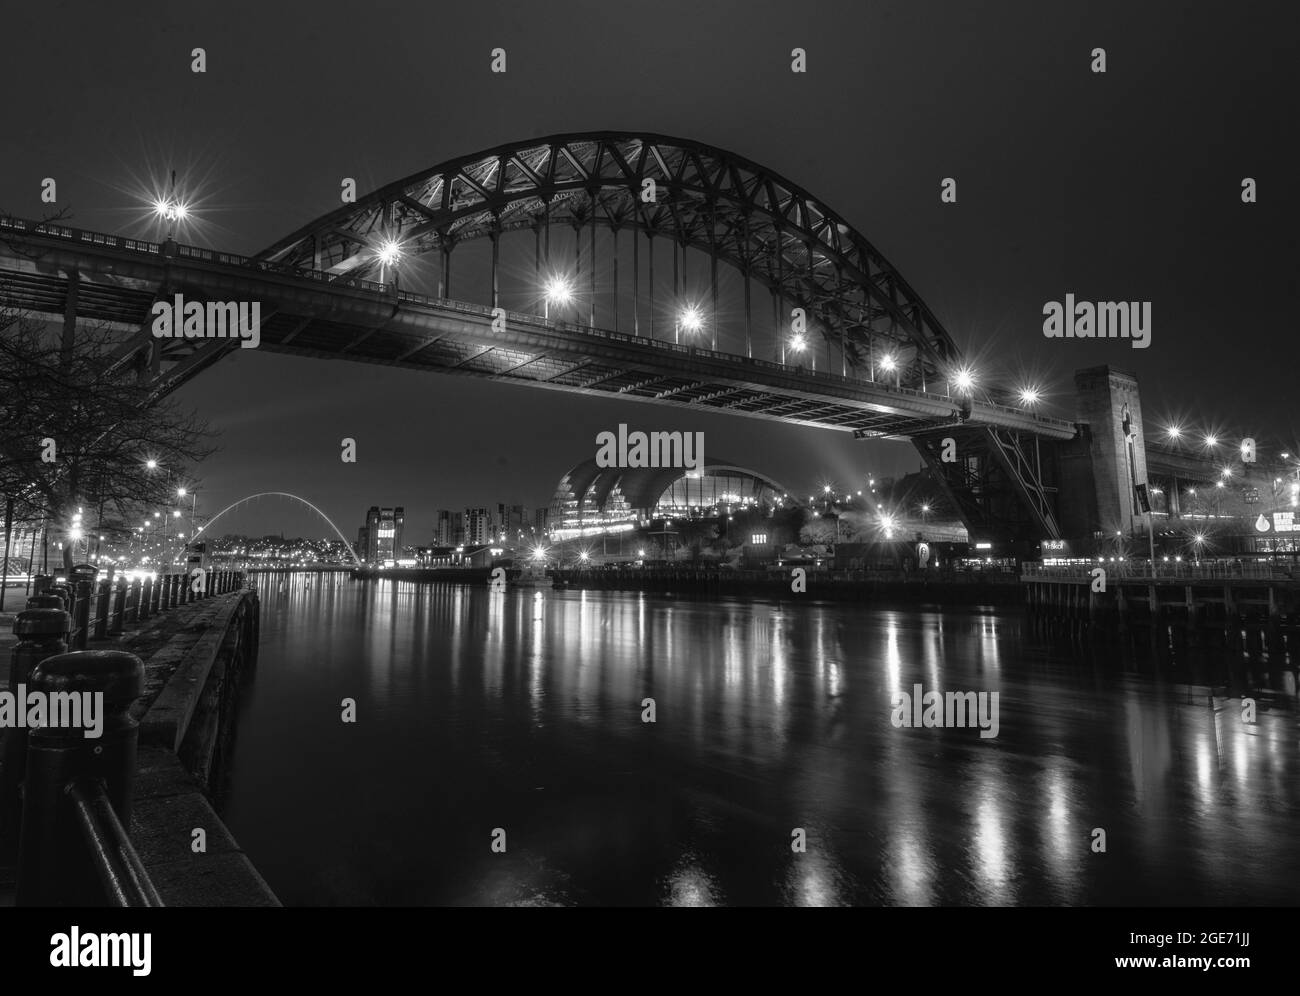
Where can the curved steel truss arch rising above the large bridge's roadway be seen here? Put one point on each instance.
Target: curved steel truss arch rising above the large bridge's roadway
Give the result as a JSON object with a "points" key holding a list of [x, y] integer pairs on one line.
{"points": [[691, 196]]}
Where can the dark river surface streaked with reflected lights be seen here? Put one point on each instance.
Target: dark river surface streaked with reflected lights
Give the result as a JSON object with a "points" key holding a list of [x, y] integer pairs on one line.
{"points": [[523, 711]]}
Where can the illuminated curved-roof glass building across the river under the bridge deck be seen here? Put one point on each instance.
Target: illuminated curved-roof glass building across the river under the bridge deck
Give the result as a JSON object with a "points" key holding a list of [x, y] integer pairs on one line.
{"points": [[593, 501]]}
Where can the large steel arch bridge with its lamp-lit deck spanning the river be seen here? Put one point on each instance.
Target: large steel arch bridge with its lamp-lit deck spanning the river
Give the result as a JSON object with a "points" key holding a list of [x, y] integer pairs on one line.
{"points": [[319, 298]]}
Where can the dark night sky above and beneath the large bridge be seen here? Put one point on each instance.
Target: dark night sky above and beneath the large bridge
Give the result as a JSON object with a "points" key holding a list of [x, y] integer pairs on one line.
{"points": [[1121, 187]]}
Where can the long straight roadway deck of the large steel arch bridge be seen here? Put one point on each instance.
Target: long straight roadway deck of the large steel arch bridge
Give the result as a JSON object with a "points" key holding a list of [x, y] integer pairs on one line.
{"points": [[60, 271]]}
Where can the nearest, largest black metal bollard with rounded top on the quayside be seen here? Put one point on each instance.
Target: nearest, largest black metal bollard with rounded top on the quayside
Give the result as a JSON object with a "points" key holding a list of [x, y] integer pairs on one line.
{"points": [[55, 860]]}
